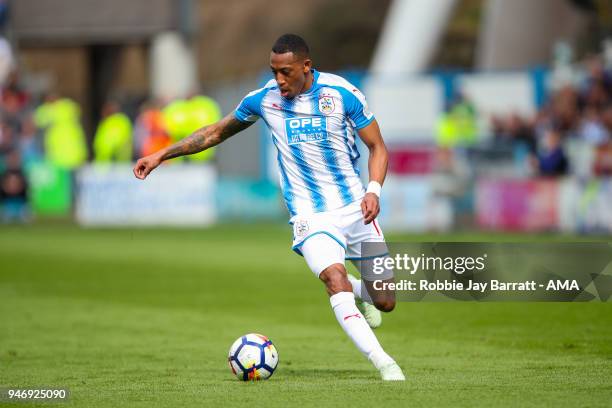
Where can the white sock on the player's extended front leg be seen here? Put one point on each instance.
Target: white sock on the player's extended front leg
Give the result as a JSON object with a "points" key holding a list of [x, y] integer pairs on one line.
{"points": [[355, 326]]}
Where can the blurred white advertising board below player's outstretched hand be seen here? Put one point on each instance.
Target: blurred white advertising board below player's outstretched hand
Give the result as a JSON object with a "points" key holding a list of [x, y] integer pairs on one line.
{"points": [[177, 194]]}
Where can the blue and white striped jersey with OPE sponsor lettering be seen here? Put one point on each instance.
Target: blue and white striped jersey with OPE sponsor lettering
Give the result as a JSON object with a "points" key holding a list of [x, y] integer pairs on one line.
{"points": [[314, 134]]}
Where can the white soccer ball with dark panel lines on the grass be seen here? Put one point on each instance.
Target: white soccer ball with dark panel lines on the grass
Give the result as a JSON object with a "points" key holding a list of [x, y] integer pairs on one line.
{"points": [[253, 357]]}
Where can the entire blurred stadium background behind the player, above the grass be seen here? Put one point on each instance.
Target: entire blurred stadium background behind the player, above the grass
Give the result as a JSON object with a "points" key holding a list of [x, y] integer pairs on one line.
{"points": [[540, 159]]}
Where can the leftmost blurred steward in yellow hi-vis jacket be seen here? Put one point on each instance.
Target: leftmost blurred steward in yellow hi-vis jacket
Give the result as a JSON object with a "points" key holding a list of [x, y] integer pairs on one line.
{"points": [[64, 139]]}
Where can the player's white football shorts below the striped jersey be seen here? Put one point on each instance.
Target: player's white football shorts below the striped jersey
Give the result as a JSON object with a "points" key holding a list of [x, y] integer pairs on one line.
{"points": [[331, 237]]}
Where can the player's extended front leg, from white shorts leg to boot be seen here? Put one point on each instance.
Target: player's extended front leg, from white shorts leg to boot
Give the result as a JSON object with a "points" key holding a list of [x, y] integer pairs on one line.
{"points": [[325, 257]]}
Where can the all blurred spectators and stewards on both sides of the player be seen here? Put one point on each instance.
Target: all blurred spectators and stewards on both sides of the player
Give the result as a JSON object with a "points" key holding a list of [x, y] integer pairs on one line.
{"points": [[47, 128]]}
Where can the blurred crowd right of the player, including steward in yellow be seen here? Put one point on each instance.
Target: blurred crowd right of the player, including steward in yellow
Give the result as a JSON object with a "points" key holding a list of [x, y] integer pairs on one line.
{"points": [[577, 111]]}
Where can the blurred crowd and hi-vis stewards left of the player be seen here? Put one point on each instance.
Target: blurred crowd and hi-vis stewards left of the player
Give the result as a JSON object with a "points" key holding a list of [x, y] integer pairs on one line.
{"points": [[37, 129]]}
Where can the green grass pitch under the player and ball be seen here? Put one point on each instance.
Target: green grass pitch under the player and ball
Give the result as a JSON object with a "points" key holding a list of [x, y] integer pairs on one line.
{"points": [[144, 318]]}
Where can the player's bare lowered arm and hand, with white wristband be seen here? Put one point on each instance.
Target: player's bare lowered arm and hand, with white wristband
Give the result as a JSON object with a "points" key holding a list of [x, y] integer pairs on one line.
{"points": [[377, 167]]}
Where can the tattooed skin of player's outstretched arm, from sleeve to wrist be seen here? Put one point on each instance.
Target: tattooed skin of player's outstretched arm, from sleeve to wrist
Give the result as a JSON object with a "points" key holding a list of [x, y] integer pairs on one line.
{"points": [[206, 137]]}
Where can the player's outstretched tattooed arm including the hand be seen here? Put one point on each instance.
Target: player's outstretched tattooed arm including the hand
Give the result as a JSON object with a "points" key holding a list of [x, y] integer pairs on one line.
{"points": [[202, 139]]}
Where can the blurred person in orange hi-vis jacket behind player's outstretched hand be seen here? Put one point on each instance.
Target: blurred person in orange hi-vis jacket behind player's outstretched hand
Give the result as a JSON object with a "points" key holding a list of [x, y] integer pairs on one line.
{"points": [[150, 133]]}
